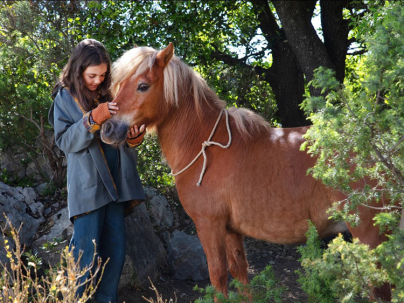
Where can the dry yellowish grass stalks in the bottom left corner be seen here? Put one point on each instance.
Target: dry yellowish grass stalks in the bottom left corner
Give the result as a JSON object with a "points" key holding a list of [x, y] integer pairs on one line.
{"points": [[21, 283]]}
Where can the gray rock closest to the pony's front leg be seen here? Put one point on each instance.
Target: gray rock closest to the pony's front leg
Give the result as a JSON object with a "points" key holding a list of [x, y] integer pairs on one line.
{"points": [[186, 257]]}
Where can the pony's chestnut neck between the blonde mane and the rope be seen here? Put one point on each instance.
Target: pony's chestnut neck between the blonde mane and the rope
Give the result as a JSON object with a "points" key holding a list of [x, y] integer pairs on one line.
{"points": [[182, 135]]}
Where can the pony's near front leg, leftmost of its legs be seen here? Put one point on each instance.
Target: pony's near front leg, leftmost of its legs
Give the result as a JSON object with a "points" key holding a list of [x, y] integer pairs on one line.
{"points": [[212, 236]]}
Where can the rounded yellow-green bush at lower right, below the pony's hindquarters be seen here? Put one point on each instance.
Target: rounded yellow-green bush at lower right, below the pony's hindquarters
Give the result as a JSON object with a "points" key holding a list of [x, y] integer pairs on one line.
{"points": [[350, 270]]}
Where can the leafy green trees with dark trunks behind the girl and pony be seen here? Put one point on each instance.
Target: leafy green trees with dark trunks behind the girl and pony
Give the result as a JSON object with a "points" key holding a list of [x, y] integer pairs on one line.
{"points": [[251, 52]]}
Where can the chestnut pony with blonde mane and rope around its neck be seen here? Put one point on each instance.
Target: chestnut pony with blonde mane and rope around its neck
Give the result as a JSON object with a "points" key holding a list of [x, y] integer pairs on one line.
{"points": [[235, 175]]}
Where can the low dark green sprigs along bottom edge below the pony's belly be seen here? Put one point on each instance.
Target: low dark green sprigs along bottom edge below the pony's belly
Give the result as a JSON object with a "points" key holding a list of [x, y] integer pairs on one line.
{"points": [[263, 288]]}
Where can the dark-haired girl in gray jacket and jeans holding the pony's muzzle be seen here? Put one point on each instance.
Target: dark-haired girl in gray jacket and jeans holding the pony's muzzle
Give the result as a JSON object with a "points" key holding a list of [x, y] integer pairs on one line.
{"points": [[102, 182]]}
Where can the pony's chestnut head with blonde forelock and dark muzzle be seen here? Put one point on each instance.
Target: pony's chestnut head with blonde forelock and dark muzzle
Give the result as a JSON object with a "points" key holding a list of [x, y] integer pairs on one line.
{"points": [[138, 86]]}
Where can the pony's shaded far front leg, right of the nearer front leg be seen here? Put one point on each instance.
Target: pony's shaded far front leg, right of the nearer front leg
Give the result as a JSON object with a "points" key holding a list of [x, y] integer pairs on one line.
{"points": [[236, 258]]}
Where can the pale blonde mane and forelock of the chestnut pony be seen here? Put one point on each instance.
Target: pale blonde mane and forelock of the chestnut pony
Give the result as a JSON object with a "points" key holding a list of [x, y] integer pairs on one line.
{"points": [[179, 80]]}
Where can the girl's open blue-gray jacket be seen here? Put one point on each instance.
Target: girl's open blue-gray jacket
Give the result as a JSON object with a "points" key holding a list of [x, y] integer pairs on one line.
{"points": [[89, 182]]}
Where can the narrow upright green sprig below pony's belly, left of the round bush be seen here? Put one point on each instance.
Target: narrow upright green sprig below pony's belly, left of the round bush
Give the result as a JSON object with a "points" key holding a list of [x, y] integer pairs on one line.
{"points": [[313, 281]]}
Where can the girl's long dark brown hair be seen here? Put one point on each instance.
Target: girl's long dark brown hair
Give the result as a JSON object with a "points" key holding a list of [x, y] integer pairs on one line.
{"points": [[87, 53]]}
